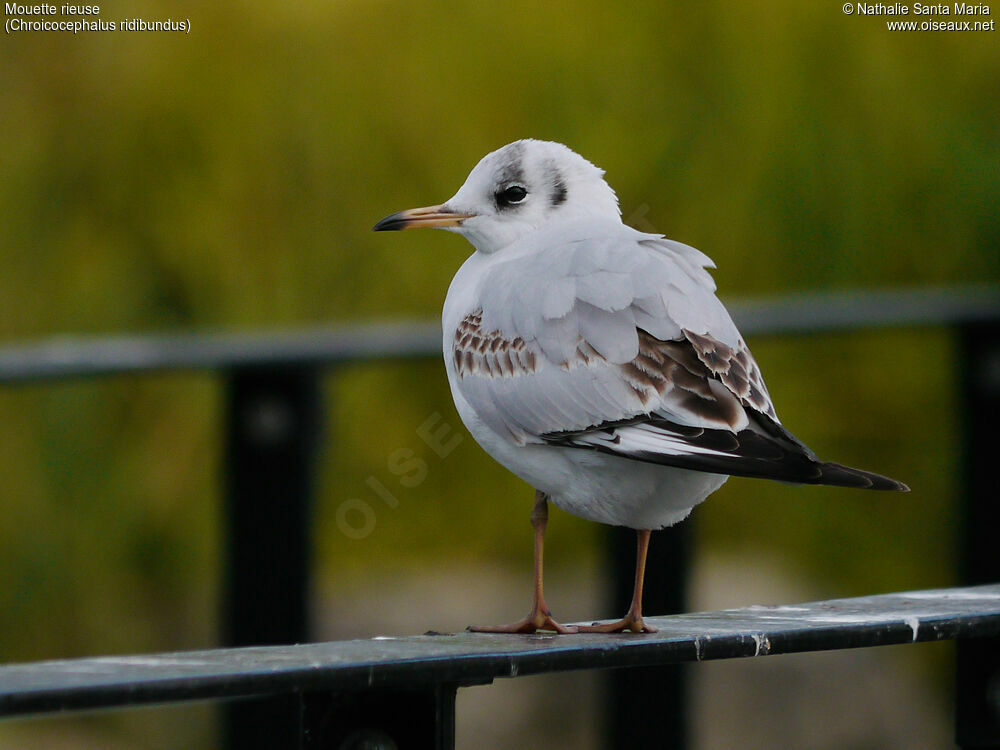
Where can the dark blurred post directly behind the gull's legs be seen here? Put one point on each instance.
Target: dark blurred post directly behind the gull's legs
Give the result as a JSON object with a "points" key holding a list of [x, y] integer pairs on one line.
{"points": [[647, 706]]}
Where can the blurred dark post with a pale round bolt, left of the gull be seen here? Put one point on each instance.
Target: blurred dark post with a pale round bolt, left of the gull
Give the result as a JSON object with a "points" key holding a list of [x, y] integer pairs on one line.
{"points": [[273, 418]]}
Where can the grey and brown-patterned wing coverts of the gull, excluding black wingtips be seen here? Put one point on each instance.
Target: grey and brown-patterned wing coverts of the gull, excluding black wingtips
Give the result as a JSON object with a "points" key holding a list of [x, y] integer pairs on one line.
{"points": [[625, 324]]}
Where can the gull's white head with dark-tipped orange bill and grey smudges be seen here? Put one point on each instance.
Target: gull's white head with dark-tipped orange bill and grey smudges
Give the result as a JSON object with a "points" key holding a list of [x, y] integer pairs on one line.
{"points": [[516, 190]]}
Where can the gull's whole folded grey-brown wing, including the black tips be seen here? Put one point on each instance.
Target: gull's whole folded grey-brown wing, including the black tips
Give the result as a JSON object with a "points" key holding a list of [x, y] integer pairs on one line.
{"points": [[625, 349]]}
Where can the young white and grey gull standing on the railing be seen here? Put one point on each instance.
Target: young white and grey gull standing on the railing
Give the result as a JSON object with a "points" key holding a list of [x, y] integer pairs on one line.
{"points": [[595, 361]]}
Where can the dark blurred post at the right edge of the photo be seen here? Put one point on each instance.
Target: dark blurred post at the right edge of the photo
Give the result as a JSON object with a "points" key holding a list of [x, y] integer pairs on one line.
{"points": [[977, 711]]}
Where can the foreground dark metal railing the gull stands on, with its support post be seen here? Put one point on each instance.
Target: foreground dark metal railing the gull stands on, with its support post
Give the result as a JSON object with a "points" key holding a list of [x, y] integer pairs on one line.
{"points": [[404, 688]]}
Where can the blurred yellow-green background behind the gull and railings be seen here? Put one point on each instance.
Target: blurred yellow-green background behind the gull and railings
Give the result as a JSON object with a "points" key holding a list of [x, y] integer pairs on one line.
{"points": [[228, 180]]}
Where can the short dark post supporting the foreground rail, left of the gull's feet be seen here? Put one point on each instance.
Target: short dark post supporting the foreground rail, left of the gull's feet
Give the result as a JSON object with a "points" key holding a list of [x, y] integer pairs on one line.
{"points": [[417, 719]]}
